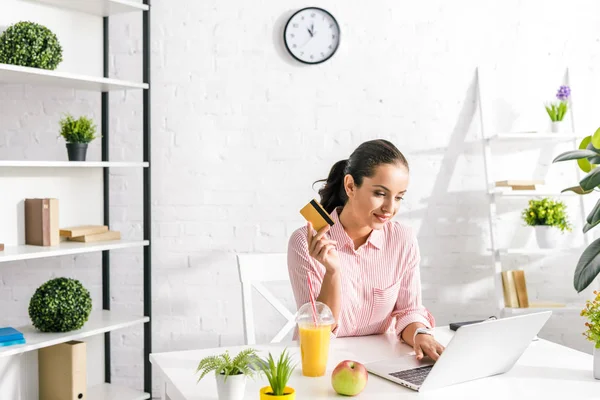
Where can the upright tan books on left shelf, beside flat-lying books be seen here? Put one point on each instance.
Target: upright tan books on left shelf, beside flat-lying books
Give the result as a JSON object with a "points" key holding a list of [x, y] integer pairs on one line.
{"points": [[41, 222]]}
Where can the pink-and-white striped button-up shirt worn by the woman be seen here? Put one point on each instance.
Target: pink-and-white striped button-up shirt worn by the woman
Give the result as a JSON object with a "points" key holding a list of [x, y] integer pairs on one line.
{"points": [[380, 282]]}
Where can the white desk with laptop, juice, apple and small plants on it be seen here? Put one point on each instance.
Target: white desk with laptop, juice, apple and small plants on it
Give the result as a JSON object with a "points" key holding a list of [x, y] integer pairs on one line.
{"points": [[546, 371]]}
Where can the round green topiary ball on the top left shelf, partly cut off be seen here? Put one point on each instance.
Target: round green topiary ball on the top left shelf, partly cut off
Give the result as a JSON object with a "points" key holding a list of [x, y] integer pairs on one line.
{"points": [[30, 45]]}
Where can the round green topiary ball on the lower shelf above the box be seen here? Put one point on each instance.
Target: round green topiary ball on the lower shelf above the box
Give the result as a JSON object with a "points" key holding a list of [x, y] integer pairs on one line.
{"points": [[60, 305]]}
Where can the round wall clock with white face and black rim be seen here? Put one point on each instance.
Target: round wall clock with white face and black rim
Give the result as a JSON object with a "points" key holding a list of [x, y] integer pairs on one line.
{"points": [[312, 35]]}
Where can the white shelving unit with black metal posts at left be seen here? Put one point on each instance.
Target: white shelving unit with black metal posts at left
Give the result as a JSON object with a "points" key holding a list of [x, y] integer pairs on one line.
{"points": [[103, 321]]}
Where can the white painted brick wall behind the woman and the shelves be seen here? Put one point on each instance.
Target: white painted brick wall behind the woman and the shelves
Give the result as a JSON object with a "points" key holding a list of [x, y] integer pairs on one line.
{"points": [[240, 132]]}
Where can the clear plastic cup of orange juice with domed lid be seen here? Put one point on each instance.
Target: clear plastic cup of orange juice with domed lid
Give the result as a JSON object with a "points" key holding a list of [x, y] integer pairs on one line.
{"points": [[314, 337]]}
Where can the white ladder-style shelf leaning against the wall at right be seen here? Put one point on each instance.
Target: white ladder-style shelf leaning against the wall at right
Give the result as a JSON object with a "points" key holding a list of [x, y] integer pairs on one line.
{"points": [[495, 194]]}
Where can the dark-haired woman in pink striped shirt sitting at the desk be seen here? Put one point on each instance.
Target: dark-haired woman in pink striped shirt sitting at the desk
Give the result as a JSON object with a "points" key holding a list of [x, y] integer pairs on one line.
{"points": [[365, 267]]}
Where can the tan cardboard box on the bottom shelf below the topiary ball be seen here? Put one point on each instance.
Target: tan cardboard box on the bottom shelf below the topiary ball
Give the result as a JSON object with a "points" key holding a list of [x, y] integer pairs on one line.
{"points": [[62, 371]]}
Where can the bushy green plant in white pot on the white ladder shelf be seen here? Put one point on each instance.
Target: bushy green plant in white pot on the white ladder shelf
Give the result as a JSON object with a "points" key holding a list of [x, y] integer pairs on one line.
{"points": [[549, 219]]}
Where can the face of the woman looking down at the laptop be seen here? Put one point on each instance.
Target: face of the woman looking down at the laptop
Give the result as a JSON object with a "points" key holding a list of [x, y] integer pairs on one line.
{"points": [[378, 199]]}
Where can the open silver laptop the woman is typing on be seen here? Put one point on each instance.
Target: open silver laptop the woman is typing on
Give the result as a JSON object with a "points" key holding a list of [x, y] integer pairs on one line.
{"points": [[475, 351]]}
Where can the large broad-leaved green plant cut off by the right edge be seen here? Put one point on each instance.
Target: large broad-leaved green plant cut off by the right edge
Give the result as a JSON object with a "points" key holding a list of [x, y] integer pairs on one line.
{"points": [[587, 157]]}
